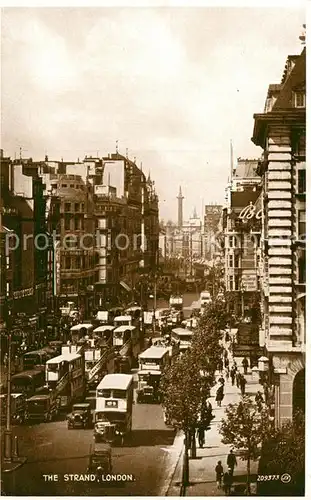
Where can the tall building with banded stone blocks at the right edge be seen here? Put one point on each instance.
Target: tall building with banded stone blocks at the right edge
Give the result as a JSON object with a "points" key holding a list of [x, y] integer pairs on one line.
{"points": [[281, 132]]}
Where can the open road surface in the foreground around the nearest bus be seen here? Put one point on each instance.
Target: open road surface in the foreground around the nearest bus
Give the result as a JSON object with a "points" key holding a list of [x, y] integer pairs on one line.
{"points": [[53, 449]]}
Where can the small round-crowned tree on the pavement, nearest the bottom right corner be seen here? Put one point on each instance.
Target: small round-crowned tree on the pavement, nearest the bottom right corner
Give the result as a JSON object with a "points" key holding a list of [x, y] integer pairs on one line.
{"points": [[245, 428]]}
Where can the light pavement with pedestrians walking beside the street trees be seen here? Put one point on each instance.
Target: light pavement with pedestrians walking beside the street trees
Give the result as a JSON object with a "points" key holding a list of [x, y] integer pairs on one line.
{"points": [[202, 469]]}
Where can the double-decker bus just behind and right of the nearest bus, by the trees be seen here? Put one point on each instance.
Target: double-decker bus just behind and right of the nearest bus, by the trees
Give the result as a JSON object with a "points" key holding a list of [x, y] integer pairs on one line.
{"points": [[151, 365]]}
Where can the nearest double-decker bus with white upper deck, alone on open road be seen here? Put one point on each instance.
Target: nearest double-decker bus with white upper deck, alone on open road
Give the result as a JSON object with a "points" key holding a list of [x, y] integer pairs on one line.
{"points": [[114, 407]]}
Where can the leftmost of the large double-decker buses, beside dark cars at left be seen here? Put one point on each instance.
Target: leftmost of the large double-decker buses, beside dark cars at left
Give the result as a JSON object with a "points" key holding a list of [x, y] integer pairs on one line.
{"points": [[65, 375]]}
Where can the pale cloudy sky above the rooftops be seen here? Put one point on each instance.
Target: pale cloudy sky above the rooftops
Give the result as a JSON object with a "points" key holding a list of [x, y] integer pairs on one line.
{"points": [[173, 85]]}
